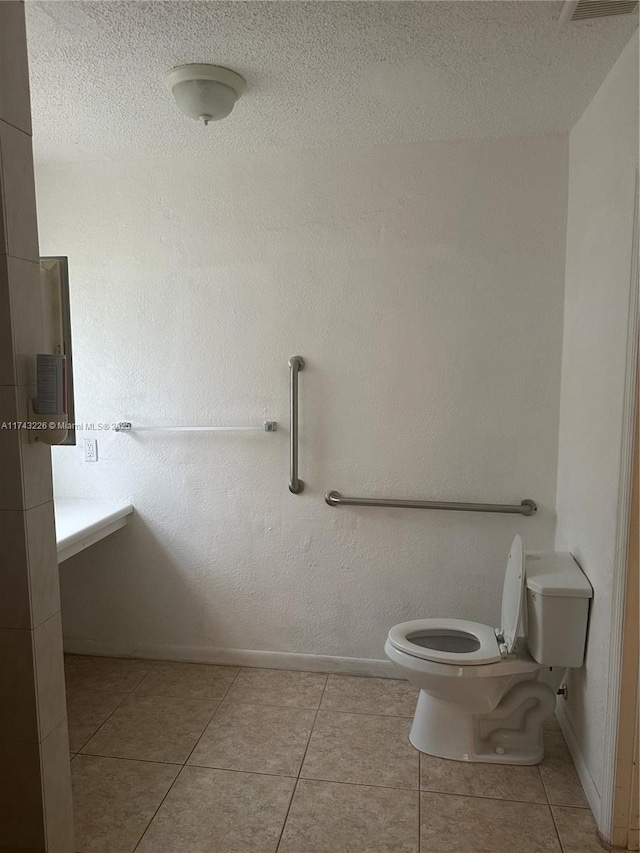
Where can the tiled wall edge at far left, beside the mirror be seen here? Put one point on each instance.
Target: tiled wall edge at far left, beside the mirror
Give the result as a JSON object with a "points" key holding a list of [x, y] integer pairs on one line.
{"points": [[35, 790]]}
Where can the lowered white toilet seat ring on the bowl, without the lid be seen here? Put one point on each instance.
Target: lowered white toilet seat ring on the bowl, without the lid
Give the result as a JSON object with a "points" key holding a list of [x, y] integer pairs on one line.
{"points": [[452, 641]]}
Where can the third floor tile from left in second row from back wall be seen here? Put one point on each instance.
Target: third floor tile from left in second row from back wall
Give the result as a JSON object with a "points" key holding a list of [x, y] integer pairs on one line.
{"points": [[256, 738]]}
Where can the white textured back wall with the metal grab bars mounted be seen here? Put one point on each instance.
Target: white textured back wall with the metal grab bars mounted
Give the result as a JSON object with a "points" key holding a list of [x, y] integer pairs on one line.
{"points": [[424, 287]]}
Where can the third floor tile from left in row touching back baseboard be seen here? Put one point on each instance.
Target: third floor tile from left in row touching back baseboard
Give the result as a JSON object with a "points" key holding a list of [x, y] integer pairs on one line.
{"points": [[278, 687]]}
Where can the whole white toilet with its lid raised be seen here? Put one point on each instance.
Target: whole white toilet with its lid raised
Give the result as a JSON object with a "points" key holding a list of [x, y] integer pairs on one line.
{"points": [[485, 692]]}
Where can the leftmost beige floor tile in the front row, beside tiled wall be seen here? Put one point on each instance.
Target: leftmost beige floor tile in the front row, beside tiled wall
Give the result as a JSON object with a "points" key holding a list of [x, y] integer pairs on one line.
{"points": [[114, 800]]}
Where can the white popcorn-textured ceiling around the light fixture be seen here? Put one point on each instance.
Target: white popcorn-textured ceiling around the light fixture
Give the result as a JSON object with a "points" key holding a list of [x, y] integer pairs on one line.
{"points": [[318, 73]]}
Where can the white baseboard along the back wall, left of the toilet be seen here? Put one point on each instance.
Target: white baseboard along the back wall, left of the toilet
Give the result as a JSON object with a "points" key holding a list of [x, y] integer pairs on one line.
{"points": [[232, 657]]}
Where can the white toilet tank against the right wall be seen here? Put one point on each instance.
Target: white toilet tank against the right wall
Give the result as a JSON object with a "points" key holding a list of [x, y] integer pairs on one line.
{"points": [[558, 595]]}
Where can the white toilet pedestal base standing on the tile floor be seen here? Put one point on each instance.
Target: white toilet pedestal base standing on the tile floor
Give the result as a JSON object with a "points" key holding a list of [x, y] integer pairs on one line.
{"points": [[444, 729]]}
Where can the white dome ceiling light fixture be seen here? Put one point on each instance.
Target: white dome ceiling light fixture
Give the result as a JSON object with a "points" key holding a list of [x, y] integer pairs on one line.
{"points": [[205, 92]]}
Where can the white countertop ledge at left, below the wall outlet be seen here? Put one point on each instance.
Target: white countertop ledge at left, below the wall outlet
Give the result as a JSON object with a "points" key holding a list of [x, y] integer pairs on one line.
{"points": [[80, 524]]}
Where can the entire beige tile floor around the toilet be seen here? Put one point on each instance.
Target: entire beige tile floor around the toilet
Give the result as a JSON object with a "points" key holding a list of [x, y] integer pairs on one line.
{"points": [[191, 758]]}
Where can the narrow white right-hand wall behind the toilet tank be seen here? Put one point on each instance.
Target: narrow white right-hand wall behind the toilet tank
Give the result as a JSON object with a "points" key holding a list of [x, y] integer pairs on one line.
{"points": [[603, 159]]}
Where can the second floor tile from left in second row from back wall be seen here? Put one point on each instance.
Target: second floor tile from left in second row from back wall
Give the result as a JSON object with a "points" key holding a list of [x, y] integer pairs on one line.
{"points": [[153, 728]]}
